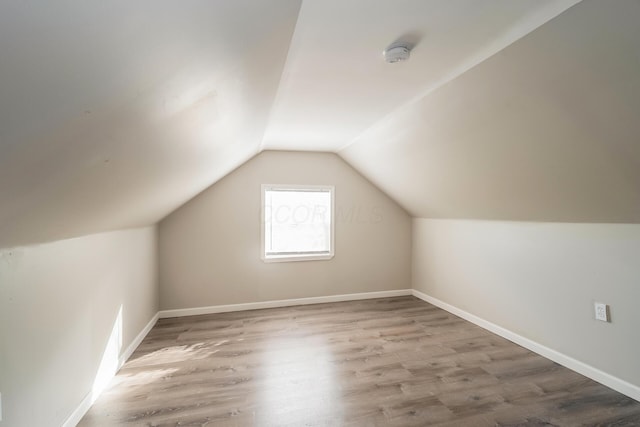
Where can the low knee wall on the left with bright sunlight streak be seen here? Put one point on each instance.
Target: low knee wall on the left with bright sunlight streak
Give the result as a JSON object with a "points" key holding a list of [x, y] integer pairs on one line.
{"points": [[60, 305]]}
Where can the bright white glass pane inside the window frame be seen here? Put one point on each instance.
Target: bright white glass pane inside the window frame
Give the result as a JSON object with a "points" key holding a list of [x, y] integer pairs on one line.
{"points": [[297, 221]]}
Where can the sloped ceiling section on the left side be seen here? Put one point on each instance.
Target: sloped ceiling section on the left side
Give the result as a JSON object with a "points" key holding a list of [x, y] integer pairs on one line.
{"points": [[113, 113]]}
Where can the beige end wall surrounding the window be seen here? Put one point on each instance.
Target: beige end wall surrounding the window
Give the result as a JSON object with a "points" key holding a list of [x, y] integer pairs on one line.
{"points": [[209, 249]]}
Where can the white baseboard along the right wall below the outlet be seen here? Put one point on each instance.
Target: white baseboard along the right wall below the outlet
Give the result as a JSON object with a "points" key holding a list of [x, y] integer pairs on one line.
{"points": [[589, 371]]}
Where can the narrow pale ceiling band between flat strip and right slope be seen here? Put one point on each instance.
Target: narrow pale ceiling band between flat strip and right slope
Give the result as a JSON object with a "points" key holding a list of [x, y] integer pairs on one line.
{"points": [[516, 32]]}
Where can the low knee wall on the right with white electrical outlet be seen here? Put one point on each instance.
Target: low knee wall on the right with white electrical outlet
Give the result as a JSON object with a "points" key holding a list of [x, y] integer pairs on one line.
{"points": [[540, 280]]}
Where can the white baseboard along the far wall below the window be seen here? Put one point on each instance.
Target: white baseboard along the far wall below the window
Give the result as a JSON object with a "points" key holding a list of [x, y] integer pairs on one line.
{"points": [[281, 303]]}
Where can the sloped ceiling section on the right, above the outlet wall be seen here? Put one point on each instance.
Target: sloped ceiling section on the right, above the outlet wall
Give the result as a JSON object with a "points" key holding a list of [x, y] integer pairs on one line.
{"points": [[548, 129]]}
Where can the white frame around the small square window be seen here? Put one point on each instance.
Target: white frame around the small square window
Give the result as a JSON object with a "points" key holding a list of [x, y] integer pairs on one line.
{"points": [[303, 256]]}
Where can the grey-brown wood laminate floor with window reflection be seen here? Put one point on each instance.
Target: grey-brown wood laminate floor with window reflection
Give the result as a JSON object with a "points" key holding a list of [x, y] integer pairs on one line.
{"points": [[392, 361]]}
